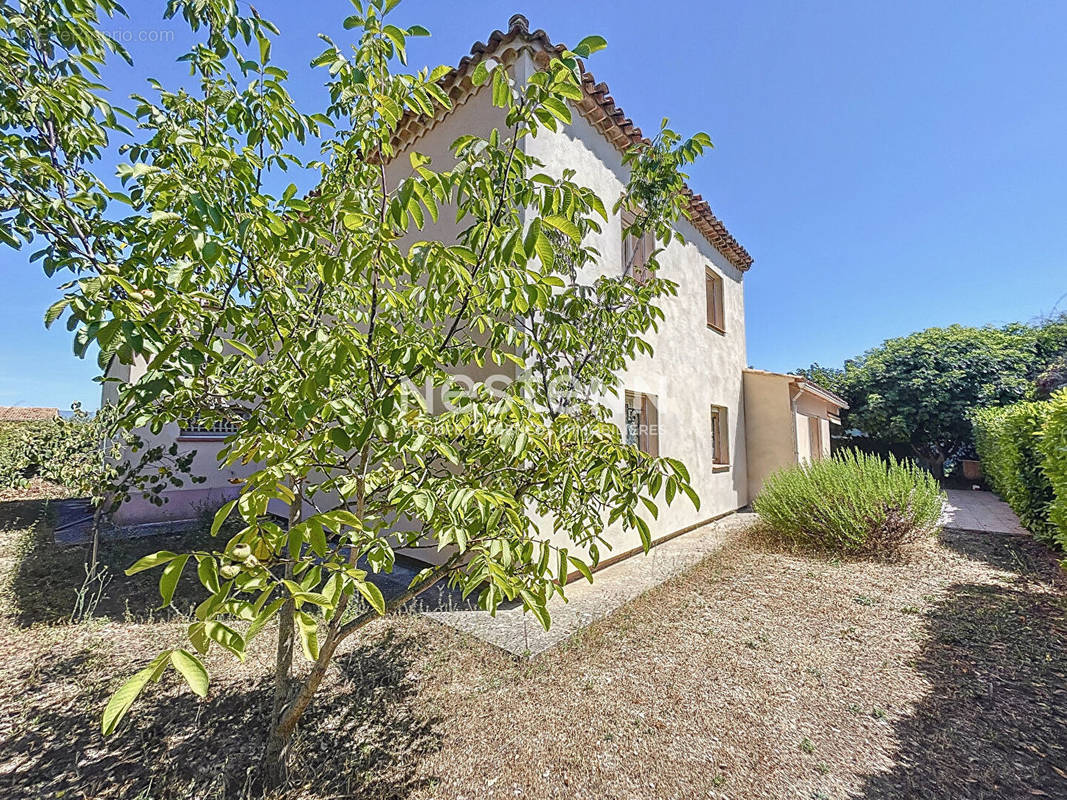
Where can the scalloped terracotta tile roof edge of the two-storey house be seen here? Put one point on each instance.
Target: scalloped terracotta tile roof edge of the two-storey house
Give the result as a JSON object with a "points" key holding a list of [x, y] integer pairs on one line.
{"points": [[598, 107]]}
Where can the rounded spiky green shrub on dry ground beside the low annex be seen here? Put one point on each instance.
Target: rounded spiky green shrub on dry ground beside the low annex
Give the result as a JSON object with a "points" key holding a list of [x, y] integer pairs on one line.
{"points": [[854, 503]]}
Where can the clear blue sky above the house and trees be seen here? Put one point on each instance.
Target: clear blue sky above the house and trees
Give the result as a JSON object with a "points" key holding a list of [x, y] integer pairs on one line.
{"points": [[890, 167]]}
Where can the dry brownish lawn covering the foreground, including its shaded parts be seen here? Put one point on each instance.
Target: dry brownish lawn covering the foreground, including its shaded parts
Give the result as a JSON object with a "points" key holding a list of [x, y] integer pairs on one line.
{"points": [[757, 675]]}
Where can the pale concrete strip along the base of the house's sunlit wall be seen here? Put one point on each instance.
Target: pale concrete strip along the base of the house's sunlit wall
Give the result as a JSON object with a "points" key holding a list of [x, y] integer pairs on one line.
{"points": [[613, 587]]}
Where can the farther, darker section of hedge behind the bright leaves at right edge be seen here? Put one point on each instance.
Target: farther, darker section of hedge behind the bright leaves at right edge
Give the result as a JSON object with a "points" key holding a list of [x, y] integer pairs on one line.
{"points": [[1009, 442]]}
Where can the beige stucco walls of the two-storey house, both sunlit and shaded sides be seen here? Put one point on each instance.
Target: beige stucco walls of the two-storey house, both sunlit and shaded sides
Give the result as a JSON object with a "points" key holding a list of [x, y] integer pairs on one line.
{"points": [[693, 367]]}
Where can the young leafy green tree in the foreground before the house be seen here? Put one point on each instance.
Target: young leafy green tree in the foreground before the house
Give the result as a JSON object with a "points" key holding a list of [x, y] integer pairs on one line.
{"points": [[325, 323]]}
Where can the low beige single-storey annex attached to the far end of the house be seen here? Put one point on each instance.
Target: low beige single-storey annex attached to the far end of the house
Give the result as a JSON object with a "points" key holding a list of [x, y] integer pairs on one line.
{"points": [[788, 423]]}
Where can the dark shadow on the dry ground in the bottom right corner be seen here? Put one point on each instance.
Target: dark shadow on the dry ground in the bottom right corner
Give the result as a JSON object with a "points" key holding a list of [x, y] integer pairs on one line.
{"points": [[994, 724]]}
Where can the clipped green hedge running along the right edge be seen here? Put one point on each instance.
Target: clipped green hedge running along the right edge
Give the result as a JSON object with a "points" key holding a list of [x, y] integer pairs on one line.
{"points": [[1024, 453]]}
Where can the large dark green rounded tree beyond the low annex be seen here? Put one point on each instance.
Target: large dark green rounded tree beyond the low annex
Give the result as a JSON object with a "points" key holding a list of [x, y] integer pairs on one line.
{"points": [[920, 390]]}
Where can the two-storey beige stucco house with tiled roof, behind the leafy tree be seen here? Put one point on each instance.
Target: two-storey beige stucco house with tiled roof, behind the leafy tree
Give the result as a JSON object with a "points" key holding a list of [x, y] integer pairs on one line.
{"points": [[688, 402]]}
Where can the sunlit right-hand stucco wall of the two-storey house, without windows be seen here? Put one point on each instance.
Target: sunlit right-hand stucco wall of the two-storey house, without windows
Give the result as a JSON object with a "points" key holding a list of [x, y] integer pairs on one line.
{"points": [[693, 366]]}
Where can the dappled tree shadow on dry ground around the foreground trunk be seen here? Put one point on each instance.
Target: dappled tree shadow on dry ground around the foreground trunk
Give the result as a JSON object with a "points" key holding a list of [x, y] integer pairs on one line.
{"points": [[362, 739]]}
